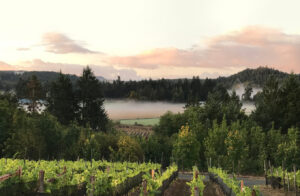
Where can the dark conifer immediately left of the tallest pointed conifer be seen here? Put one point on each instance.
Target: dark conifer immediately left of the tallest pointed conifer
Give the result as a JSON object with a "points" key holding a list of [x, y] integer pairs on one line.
{"points": [[61, 99]]}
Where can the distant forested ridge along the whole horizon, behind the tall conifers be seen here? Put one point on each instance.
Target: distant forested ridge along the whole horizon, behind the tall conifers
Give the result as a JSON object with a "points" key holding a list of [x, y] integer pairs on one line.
{"points": [[177, 90]]}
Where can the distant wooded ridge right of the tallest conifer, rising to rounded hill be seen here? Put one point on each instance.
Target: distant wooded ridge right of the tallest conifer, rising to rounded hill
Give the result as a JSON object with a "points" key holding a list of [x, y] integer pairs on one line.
{"points": [[189, 91]]}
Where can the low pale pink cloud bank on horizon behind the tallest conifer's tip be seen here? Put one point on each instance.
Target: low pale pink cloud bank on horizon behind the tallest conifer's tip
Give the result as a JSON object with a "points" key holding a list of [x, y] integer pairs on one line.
{"points": [[107, 72]]}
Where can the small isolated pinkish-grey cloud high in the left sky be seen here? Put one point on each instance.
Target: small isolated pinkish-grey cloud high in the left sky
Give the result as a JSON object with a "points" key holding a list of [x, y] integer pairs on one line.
{"points": [[61, 44]]}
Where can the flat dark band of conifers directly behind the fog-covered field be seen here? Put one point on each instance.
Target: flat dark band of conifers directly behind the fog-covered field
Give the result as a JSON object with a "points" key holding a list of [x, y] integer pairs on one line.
{"points": [[181, 90]]}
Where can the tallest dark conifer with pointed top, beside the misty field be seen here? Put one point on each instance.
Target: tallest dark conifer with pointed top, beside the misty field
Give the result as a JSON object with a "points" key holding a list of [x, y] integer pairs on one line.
{"points": [[91, 100]]}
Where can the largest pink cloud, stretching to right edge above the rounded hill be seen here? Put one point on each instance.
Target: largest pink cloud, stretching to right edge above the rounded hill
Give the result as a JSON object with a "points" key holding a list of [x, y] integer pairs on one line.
{"points": [[250, 47]]}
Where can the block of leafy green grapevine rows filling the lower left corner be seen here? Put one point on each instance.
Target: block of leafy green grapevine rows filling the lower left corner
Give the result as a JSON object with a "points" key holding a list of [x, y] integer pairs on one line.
{"points": [[80, 177]]}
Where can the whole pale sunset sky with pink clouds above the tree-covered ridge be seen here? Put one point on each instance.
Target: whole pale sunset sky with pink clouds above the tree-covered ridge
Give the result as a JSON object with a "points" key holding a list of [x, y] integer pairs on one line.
{"points": [[137, 39]]}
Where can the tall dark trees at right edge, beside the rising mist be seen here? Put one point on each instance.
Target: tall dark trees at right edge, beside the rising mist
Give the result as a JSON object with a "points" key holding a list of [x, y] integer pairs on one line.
{"points": [[279, 104]]}
